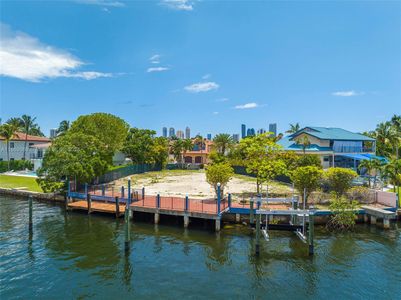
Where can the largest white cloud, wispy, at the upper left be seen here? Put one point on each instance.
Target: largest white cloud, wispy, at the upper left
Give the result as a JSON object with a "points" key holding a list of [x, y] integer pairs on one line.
{"points": [[25, 57]]}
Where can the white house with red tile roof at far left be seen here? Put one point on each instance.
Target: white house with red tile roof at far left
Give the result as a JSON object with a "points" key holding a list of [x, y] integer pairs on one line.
{"points": [[35, 147]]}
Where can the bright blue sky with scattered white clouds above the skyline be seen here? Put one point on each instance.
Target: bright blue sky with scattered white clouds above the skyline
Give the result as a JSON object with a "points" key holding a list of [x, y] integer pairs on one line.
{"points": [[209, 65]]}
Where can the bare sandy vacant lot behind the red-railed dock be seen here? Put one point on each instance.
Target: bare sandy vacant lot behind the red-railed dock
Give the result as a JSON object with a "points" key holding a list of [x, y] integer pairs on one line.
{"points": [[193, 184]]}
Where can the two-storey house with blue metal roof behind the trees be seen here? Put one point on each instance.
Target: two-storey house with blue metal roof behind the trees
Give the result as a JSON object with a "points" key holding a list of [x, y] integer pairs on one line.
{"points": [[335, 146]]}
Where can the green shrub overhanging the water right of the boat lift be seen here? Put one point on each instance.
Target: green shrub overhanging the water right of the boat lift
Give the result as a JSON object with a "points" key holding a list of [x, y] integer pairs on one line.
{"points": [[344, 213]]}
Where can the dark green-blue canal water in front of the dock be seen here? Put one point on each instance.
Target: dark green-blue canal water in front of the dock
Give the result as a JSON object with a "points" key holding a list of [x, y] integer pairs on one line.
{"points": [[73, 255]]}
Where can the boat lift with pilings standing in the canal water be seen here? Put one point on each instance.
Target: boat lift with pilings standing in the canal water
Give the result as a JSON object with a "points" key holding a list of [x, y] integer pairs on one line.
{"points": [[301, 220]]}
